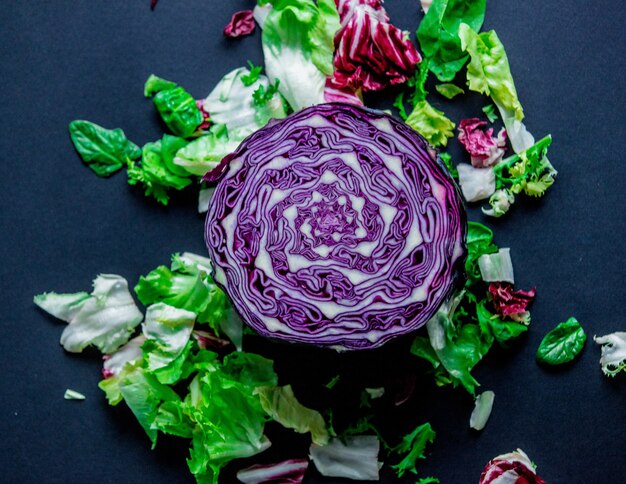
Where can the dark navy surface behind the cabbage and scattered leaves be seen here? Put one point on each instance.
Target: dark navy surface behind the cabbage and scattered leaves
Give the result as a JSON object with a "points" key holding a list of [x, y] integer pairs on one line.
{"points": [[61, 225]]}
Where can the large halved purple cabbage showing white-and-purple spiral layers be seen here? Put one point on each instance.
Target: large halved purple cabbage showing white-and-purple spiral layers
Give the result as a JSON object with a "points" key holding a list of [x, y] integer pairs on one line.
{"points": [[337, 226]]}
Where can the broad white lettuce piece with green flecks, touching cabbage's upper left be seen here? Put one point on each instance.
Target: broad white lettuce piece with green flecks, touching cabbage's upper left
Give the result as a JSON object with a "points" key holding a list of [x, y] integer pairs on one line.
{"points": [[231, 103]]}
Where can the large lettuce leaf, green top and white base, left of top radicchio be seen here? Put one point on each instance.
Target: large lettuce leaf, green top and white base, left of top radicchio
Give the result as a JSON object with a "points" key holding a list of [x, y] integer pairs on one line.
{"points": [[298, 48]]}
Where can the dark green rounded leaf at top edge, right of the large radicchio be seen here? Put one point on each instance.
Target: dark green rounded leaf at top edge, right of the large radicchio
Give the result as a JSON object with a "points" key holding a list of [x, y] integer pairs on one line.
{"points": [[438, 34]]}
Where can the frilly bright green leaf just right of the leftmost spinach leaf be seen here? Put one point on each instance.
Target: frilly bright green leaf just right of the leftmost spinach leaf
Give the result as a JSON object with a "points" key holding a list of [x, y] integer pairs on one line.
{"points": [[154, 173]]}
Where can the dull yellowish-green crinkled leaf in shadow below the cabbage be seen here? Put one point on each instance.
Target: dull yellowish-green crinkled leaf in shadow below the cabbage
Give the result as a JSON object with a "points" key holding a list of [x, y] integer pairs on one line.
{"points": [[281, 405]]}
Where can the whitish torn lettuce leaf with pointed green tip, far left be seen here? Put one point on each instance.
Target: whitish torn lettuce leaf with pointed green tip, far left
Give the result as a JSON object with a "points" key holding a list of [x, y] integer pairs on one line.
{"points": [[105, 318]]}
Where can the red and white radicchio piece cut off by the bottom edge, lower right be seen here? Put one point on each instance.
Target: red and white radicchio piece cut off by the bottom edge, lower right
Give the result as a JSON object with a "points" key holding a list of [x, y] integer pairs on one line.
{"points": [[512, 468]]}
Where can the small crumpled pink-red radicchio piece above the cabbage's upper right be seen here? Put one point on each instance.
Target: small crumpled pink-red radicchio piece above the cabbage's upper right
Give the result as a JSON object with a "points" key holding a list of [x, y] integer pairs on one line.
{"points": [[485, 149]]}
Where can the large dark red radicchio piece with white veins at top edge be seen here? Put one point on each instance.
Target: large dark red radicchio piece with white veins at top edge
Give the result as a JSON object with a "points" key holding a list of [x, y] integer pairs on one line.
{"points": [[370, 52]]}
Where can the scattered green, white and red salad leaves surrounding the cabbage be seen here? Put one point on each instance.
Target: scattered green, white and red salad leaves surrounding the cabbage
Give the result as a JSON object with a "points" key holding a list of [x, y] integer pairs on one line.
{"points": [[181, 365]]}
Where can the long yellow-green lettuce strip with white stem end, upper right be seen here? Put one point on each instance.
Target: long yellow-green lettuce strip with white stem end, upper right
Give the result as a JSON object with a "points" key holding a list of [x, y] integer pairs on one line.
{"points": [[489, 73]]}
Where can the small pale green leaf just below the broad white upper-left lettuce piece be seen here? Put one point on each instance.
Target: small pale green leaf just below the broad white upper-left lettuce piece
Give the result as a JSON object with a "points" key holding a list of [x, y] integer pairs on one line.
{"points": [[203, 154]]}
